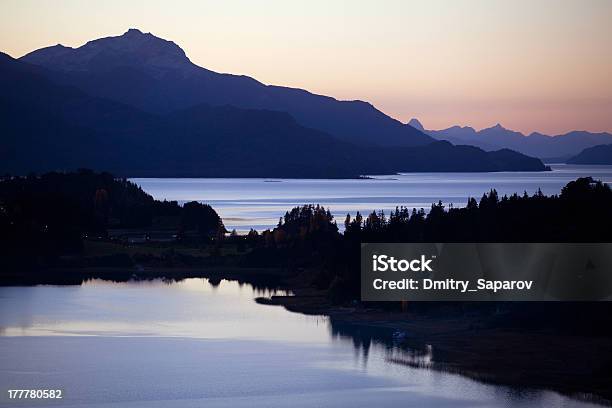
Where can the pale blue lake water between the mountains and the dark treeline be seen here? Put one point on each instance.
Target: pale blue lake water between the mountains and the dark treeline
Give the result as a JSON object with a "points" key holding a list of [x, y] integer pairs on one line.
{"points": [[258, 203]]}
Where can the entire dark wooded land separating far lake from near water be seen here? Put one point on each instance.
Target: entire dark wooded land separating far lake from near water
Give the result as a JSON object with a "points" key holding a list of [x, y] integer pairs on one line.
{"points": [[67, 228]]}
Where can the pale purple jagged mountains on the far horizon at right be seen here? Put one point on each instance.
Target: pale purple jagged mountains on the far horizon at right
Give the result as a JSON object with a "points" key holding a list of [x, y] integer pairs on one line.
{"points": [[534, 144]]}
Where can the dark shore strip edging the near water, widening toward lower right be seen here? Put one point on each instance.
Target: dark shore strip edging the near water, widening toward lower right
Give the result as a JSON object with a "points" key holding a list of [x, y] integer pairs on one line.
{"points": [[527, 359]]}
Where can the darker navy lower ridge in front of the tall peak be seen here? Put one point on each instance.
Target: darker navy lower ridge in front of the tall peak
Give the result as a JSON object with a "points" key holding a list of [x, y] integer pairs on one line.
{"points": [[47, 127]]}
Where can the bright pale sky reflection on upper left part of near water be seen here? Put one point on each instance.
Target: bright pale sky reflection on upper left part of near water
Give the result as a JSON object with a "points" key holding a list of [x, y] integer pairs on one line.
{"points": [[194, 307]]}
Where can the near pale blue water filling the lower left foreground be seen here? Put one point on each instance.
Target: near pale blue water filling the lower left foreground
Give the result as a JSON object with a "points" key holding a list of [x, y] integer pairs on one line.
{"points": [[192, 344]]}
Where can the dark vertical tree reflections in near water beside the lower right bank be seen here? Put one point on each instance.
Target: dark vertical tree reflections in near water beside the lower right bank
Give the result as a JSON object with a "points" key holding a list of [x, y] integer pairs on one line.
{"points": [[395, 344]]}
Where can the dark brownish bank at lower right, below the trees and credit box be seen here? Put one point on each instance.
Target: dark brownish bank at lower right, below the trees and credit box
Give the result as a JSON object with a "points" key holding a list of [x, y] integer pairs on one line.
{"points": [[538, 360]]}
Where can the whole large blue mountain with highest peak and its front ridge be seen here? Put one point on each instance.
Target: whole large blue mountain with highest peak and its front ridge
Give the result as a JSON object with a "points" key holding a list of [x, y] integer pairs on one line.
{"points": [[136, 105]]}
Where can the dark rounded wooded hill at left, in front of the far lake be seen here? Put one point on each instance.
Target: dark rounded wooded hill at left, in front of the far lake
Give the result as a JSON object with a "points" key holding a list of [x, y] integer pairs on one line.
{"points": [[45, 217]]}
